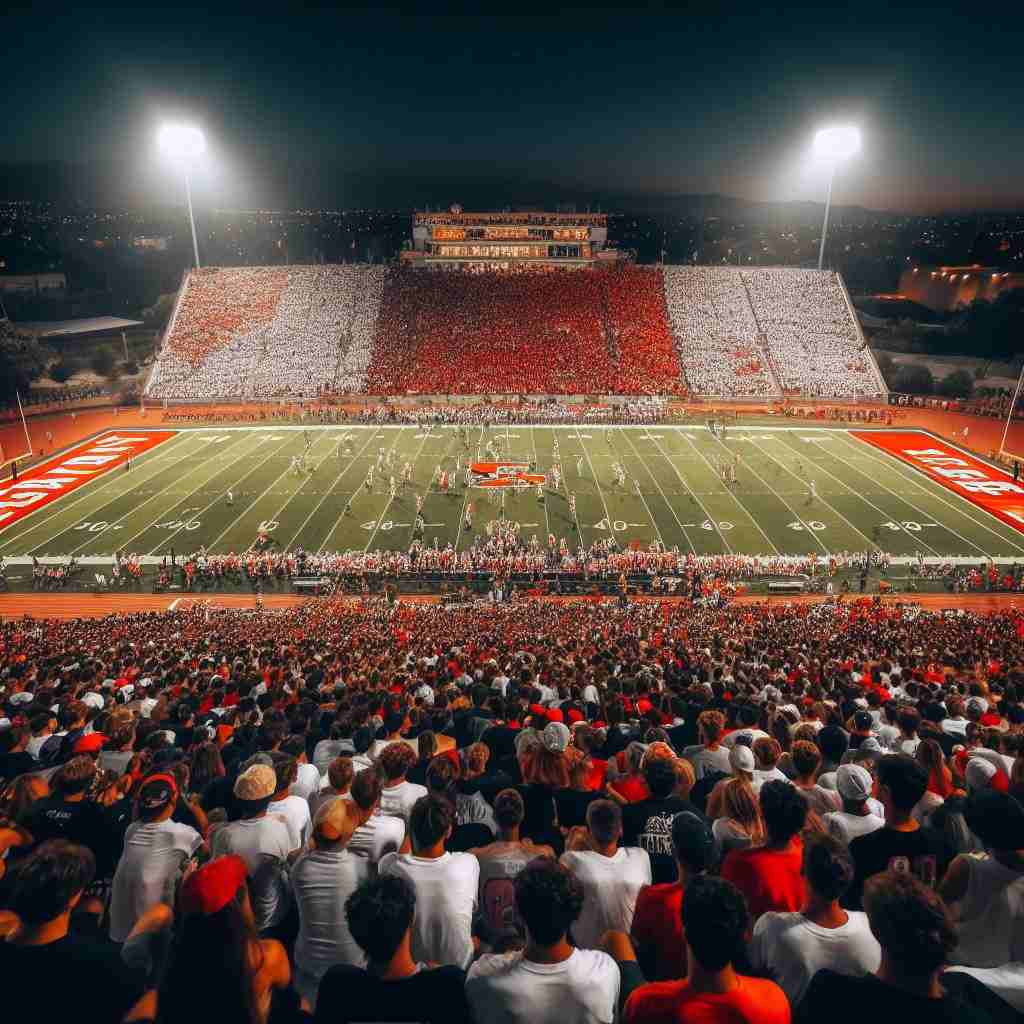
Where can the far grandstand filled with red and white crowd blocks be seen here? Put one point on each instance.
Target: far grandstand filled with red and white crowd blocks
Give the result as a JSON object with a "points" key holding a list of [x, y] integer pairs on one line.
{"points": [[302, 332]]}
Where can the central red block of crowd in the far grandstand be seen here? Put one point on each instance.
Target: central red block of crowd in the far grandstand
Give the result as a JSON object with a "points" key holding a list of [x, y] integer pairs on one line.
{"points": [[554, 333]]}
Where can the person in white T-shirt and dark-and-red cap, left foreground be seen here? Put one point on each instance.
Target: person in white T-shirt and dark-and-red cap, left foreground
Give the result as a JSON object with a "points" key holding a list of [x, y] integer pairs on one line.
{"points": [[155, 851]]}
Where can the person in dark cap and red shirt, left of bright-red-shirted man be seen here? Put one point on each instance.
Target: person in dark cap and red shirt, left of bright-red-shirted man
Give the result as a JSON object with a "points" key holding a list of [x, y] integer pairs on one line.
{"points": [[658, 922]]}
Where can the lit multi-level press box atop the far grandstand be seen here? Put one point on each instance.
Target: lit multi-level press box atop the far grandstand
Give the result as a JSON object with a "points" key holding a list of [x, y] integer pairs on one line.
{"points": [[508, 241]]}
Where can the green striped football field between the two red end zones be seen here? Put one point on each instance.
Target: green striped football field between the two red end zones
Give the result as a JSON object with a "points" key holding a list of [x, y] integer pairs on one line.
{"points": [[176, 496]]}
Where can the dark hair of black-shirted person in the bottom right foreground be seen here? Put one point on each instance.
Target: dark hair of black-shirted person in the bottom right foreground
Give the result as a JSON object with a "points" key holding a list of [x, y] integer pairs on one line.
{"points": [[910, 921]]}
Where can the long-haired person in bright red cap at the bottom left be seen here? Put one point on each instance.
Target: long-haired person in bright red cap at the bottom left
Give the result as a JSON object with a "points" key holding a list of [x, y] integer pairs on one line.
{"points": [[219, 957]]}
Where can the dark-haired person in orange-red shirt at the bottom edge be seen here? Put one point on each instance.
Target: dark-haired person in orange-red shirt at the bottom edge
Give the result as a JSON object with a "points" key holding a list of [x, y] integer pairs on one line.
{"points": [[715, 921]]}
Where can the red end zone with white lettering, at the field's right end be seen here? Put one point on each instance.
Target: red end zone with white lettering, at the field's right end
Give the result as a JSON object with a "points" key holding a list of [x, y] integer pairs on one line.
{"points": [[988, 487]]}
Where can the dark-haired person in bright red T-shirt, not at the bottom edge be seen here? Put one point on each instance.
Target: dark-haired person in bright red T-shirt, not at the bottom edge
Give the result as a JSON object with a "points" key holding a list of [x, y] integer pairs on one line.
{"points": [[771, 876]]}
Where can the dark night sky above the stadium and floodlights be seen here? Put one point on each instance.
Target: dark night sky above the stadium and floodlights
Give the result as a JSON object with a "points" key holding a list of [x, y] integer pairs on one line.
{"points": [[306, 106]]}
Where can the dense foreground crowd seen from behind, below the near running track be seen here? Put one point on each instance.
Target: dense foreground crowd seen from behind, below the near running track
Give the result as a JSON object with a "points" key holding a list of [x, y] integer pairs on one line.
{"points": [[532, 814]]}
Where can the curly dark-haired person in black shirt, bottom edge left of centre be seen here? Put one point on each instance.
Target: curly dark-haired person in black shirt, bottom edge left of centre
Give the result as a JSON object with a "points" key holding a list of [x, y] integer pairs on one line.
{"points": [[394, 987]]}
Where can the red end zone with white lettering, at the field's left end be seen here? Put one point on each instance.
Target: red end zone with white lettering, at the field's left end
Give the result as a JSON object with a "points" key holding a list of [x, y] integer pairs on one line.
{"points": [[74, 468]]}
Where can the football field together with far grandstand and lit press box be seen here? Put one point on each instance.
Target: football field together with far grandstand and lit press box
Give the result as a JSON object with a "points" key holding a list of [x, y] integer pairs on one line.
{"points": [[516, 401]]}
